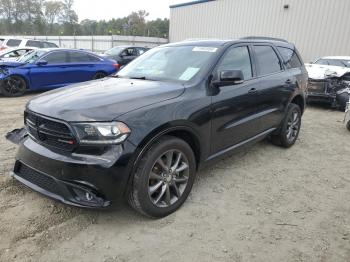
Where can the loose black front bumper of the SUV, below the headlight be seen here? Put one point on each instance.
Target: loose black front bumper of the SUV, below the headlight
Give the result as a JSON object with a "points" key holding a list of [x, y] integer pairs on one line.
{"points": [[79, 181]]}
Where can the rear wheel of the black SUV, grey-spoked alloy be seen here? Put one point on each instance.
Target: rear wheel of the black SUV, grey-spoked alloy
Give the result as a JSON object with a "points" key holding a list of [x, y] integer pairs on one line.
{"points": [[290, 128]]}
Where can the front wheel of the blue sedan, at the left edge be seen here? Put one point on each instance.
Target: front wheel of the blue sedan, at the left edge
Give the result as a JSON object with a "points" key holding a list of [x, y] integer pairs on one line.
{"points": [[13, 86]]}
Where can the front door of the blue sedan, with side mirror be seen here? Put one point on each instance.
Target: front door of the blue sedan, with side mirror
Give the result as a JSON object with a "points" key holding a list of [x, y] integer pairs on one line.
{"points": [[53, 74]]}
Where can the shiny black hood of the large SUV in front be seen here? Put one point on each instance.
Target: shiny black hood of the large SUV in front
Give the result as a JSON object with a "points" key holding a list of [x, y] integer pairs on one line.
{"points": [[102, 100]]}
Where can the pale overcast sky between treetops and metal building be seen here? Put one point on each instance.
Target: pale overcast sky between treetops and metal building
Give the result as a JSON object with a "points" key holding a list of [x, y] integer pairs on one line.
{"points": [[108, 9]]}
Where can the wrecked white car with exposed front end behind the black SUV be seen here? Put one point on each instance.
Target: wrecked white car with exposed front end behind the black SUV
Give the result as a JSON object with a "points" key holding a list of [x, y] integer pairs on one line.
{"points": [[329, 80]]}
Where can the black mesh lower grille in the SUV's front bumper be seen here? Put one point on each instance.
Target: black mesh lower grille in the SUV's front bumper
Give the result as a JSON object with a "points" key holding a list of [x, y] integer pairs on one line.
{"points": [[37, 178]]}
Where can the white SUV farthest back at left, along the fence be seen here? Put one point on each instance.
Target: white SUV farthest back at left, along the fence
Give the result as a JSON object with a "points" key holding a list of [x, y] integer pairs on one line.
{"points": [[21, 42]]}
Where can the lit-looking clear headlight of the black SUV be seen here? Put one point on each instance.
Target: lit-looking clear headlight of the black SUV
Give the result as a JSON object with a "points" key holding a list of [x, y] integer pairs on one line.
{"points": [[101, 133]]}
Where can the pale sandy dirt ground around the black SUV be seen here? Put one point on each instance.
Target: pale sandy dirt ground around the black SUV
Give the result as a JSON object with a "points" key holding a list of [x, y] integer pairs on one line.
{"points": [[267, 204]]}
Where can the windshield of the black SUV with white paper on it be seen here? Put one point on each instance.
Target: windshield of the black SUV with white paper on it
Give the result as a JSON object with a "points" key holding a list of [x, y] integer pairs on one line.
{"points": [[177, 63]]}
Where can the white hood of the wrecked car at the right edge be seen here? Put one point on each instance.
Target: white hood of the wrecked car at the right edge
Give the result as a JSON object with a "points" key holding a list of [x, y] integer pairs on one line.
{"points": [[325, 71]]}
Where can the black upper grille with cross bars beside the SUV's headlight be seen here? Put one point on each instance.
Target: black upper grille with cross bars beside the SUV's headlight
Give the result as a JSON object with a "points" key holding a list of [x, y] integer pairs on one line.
{"points": [[50, 132]]}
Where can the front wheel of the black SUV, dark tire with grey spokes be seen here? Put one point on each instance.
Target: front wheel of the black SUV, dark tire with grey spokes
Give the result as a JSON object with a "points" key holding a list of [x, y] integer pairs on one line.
{"points": [[163, 178]]}
